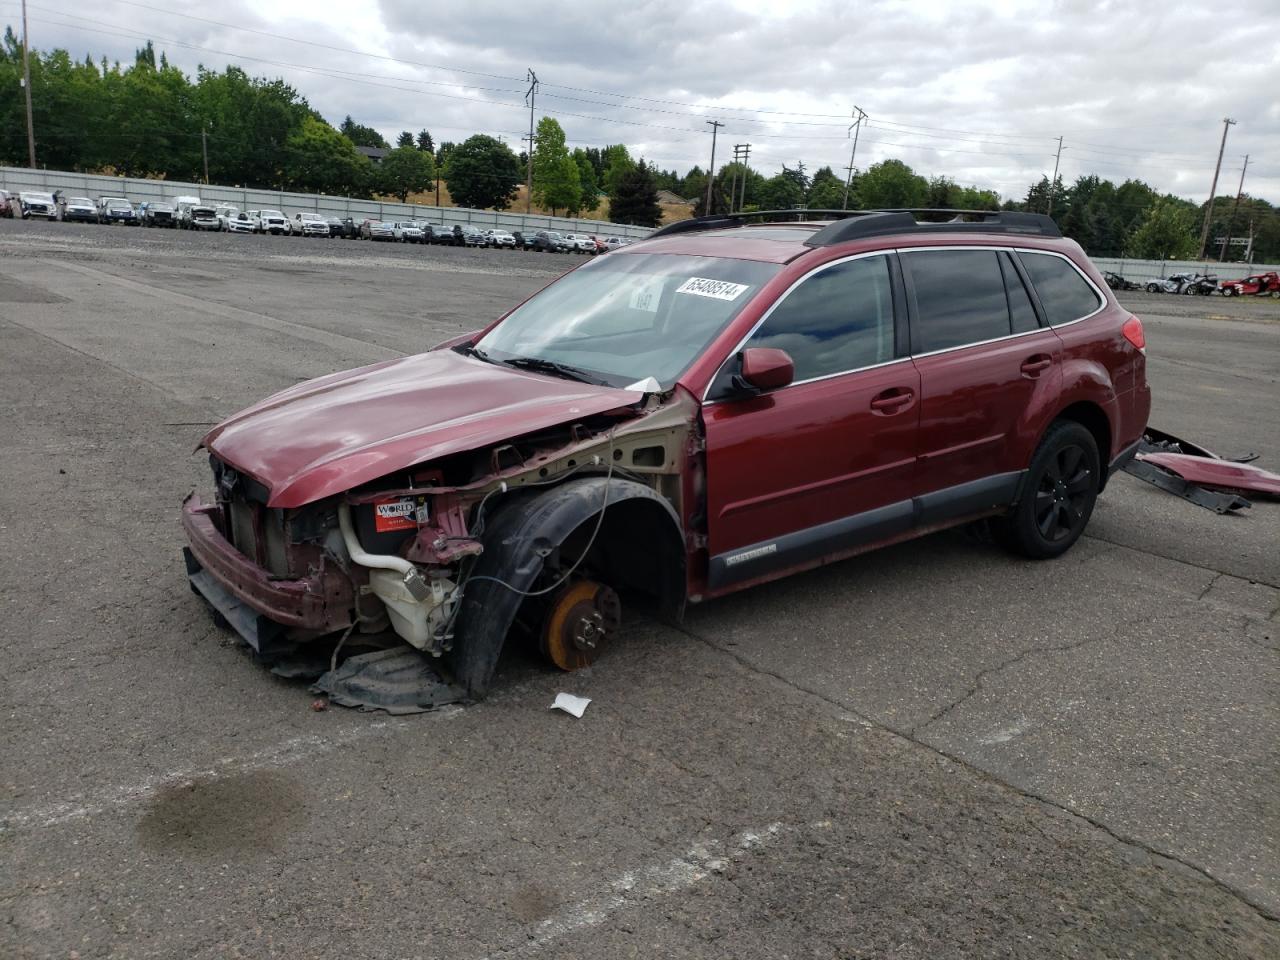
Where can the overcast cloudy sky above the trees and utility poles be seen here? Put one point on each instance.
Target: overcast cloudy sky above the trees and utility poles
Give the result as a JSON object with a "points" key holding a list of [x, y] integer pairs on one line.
{"points": [[976, 92]]}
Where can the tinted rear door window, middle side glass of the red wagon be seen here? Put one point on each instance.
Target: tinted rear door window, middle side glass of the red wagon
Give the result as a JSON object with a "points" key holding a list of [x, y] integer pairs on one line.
{"points": [[959, 298]]}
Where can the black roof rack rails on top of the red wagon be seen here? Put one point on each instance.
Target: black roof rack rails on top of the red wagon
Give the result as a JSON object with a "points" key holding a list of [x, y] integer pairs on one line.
{"points": [[856, 225]]}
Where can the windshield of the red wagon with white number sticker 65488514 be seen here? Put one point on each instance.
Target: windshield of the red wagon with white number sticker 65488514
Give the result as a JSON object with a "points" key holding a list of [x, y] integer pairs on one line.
{"points": [[629, 318]]}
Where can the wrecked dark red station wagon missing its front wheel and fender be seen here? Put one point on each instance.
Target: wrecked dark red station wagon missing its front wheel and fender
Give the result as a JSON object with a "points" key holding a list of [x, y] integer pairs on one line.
{"points": [[721, 405]]}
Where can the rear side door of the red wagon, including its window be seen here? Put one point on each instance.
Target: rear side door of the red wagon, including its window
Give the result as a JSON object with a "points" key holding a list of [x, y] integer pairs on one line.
{"points": [[989, 364]]}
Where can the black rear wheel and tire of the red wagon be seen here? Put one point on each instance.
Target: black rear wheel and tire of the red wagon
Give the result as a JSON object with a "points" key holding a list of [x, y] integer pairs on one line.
{"points": [[1059, 495]]}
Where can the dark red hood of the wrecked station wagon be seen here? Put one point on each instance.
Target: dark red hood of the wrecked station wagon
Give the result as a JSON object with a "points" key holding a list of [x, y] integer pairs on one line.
{"points": [[327, 436]]}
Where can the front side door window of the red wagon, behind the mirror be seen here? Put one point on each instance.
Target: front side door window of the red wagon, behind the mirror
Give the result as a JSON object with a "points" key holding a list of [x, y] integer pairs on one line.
{"points": [[838, 321]]}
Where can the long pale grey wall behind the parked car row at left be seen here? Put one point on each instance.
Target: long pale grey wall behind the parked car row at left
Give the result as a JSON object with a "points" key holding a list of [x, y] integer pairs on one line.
{"points": [[19, 179]]}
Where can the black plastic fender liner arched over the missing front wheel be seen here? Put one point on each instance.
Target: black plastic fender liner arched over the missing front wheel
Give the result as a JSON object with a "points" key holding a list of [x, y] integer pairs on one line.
{"points": [[520, 537]]}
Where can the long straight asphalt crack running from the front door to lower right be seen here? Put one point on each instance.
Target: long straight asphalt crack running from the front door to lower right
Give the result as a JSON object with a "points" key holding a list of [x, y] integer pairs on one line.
{"points": [[909, 735]]}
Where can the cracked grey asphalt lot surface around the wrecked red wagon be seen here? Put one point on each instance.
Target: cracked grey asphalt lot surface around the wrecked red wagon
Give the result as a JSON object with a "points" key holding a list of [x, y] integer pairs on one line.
{"points": [[934, 751]]}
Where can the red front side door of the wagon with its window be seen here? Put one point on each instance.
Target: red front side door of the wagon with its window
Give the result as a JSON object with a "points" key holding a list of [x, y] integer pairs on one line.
{"points": [[826, 464]]}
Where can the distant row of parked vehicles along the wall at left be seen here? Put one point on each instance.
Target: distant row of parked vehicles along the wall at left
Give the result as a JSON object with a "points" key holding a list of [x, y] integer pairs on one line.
{"points": [[193, 214]]}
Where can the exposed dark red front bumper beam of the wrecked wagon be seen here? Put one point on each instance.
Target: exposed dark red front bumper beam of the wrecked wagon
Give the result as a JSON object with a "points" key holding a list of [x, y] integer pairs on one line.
{"points": [[321, 602]]}
